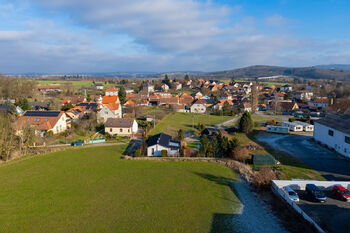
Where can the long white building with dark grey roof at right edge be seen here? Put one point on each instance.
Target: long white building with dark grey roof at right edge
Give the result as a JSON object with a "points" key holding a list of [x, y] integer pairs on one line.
{"points": [[334, 131]]}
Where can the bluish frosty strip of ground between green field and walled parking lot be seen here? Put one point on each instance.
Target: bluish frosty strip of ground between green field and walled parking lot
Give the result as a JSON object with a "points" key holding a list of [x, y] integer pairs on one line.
{"points": [[254, 217]]}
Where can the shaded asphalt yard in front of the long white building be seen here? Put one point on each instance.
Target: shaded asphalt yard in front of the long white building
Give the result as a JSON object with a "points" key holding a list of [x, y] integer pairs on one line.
{"points": [[328, 163]]}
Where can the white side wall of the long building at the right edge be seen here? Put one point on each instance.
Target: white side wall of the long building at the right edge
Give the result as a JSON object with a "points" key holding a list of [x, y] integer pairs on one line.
{"points": [[333, 138]]}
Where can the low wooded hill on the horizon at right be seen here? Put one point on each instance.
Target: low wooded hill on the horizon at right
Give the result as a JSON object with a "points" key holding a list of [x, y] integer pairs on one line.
{"points": [[266, 71]]}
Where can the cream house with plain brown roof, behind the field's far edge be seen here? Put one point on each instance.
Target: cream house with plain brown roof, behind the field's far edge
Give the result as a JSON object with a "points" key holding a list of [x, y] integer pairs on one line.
{"points": [[121, 126]]}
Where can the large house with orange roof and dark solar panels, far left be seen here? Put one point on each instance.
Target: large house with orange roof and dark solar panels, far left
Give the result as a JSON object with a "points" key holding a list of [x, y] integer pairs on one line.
{"points": [[42, 122]]}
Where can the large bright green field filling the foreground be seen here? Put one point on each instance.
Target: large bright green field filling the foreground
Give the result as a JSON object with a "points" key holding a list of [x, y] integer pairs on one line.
{"points": [[93, 190]]}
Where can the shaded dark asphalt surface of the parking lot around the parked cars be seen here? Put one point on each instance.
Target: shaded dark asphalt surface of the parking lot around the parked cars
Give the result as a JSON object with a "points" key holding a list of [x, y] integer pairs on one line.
{"points": [[332, 215]]}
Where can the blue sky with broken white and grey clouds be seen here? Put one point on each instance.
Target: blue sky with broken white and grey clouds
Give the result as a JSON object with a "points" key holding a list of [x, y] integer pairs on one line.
{"points": [[82, 36]]}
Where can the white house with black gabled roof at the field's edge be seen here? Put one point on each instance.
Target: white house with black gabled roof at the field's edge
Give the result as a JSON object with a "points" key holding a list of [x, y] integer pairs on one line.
{"points": [[160, 142]]}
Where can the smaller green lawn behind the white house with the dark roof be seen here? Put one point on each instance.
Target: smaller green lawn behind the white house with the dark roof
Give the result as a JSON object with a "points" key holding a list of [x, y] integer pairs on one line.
{"points": [[175, 121]]}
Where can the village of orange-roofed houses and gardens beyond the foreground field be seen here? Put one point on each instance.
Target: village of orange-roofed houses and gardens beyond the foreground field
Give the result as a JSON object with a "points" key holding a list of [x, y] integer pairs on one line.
{"points": [[243, 122]]}
